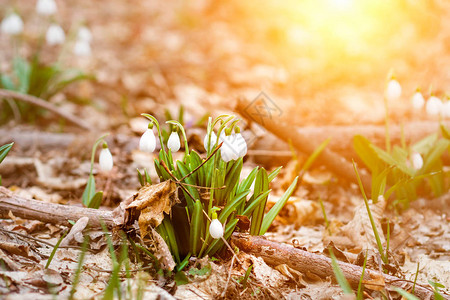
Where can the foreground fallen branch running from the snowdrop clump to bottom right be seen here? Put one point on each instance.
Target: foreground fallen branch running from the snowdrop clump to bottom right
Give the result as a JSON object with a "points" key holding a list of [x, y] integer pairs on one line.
{"points": [[320, 265]]}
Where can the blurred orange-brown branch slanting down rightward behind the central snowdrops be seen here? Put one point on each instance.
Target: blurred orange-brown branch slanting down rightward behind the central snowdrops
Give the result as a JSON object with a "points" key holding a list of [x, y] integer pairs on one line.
{"points": [[276, 125]]}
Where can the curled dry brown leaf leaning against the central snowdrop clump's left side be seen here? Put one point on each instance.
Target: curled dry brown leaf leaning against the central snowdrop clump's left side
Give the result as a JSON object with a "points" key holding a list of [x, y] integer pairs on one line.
{"points": [[150, 204]]}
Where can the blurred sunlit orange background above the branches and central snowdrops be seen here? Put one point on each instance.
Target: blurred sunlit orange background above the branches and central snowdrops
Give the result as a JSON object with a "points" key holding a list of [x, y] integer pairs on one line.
{"points": [[321, 61]]}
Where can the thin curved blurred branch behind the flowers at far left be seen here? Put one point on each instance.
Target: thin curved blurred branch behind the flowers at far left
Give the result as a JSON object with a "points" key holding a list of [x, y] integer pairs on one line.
{"points": [[44, 104]]}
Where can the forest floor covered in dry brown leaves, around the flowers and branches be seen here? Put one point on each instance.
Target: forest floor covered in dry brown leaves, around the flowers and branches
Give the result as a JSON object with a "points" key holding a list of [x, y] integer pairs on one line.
{"points": [[155, 57]]}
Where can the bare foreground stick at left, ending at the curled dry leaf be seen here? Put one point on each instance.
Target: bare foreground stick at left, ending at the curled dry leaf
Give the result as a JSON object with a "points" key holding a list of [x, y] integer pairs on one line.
{"points": [[50, 212]]}
